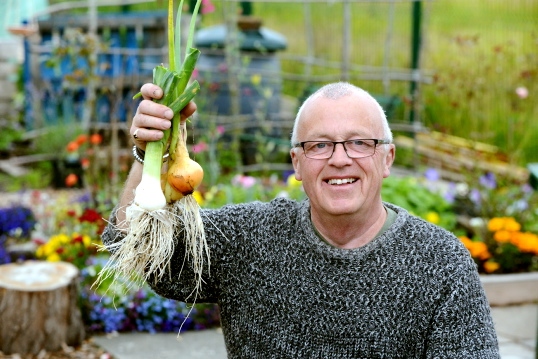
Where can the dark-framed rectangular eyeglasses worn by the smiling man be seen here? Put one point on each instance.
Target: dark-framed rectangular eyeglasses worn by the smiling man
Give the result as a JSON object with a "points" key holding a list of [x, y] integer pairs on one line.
{"points": [[322, 150]]}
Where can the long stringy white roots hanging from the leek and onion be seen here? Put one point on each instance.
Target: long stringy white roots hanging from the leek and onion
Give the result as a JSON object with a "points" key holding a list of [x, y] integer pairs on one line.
{"points": [[146, 251]]}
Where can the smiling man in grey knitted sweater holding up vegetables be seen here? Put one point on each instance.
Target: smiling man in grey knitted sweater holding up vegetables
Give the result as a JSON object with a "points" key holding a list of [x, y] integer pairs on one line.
{"points": [[341, 274]]}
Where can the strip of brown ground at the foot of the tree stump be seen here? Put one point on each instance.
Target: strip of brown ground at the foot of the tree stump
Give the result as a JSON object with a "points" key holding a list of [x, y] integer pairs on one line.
{"points": [[88, 350]]}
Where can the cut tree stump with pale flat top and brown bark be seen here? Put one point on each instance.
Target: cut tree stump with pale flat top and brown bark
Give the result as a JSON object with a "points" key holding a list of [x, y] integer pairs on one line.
{"points": [[39, 307]]}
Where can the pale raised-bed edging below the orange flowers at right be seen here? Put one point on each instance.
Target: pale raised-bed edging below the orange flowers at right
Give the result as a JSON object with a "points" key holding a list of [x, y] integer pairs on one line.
{"points": [[511, 289]]}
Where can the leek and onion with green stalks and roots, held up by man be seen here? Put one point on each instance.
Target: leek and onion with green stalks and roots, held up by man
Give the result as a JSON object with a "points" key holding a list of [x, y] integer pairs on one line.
{"points": [[163, 199]]}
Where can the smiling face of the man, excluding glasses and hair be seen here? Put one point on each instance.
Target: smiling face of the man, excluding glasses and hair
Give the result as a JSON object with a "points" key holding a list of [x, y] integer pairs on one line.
{"points": [[350, 117]]}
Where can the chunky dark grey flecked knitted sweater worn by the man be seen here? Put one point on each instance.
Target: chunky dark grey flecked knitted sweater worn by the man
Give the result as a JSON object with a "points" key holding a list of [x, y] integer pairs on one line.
{"points": [[412, 292]]}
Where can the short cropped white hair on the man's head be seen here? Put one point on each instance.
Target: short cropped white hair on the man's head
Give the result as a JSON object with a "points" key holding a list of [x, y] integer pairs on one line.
{"points": [[336, 91]]}
